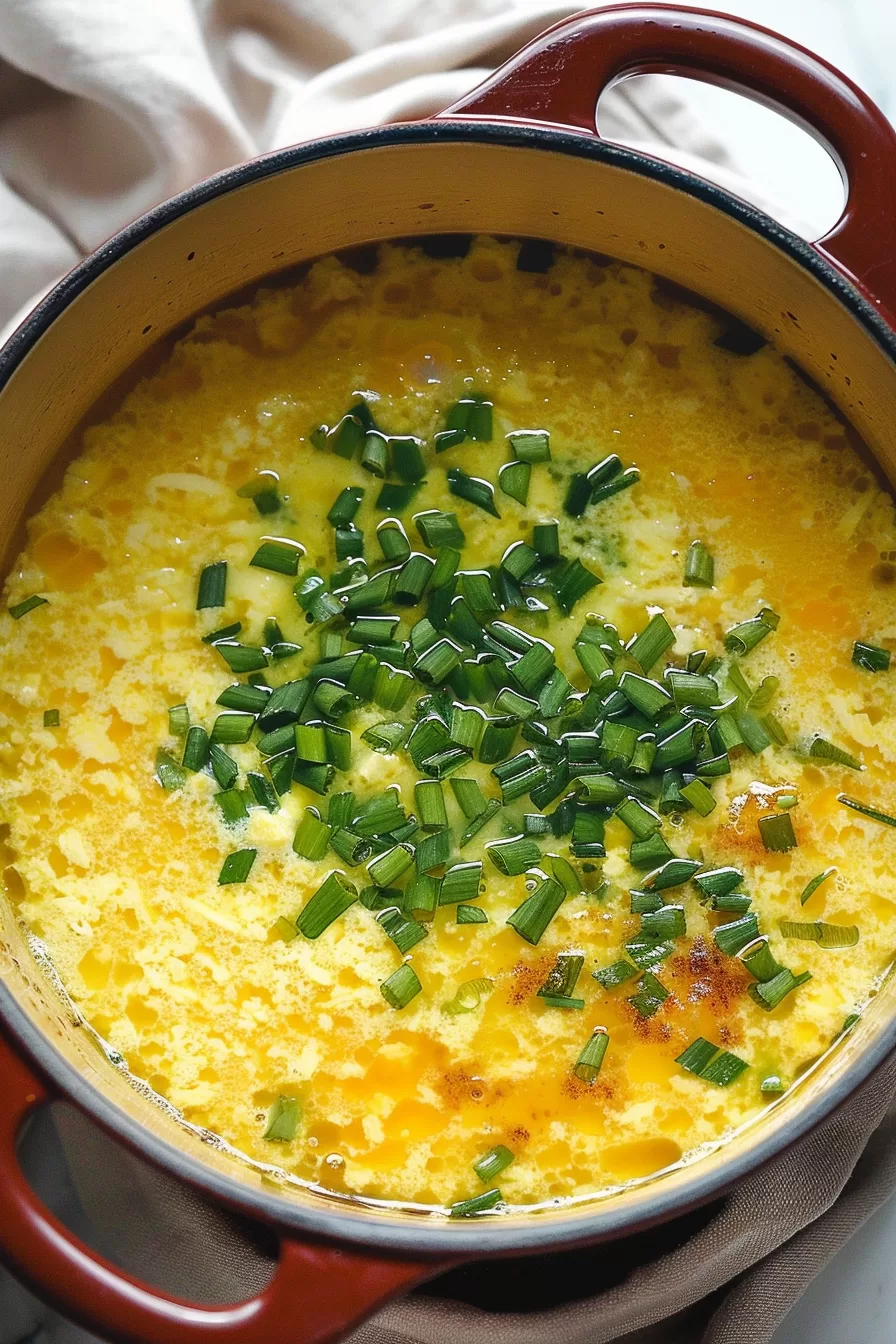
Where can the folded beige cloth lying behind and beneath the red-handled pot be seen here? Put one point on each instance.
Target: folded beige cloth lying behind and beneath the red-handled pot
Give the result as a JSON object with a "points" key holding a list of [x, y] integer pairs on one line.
{"points": [[105, 110]]}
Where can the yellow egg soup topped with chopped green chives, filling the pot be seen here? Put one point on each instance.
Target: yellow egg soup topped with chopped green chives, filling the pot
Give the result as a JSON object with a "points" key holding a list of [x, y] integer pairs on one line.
{"points": [[449, 728]]}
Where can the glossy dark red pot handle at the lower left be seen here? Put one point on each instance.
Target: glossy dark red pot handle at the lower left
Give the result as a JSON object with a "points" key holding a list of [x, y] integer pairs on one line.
{"points": [[316, 1296]]}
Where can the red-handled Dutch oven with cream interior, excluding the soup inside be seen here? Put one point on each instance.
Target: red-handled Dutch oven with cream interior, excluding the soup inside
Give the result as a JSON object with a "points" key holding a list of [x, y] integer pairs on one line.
{"points": [[519, 157]]}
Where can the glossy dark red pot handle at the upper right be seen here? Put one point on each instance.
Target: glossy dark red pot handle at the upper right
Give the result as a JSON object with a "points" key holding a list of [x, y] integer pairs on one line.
{"points": [[558, 79]]}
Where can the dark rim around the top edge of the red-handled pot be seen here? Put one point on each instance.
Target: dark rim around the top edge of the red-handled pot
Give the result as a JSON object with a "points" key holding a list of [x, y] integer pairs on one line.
{"points": [[433, 1236]]}
